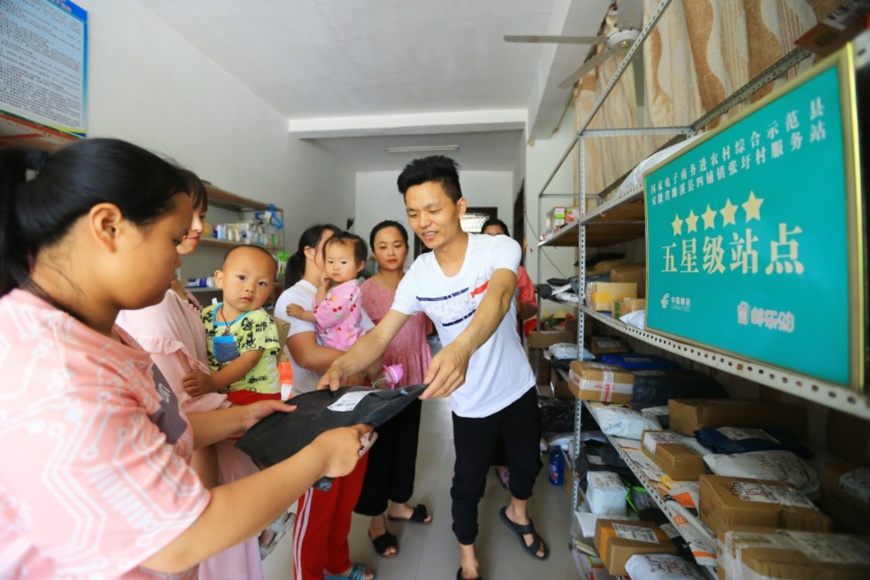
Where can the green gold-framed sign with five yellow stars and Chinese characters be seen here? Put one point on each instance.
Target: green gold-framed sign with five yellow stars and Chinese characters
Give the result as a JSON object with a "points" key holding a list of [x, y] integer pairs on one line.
{"points": [[753, 232]]}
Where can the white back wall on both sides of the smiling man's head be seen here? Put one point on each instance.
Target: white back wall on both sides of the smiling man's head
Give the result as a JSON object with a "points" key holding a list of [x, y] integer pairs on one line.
{"points": [[378, 198]]}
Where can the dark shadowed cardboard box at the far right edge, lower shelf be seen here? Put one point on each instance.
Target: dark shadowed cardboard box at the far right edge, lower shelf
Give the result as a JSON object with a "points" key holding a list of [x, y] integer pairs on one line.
{"points": [[846, 494]]}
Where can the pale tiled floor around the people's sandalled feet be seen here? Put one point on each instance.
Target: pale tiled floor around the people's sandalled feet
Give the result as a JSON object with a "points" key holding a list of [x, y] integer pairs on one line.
{"points": [[431, 552]]}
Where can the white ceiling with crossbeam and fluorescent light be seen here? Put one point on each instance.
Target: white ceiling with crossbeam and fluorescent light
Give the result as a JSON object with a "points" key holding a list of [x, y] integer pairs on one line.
{"points": [[357, 76]]}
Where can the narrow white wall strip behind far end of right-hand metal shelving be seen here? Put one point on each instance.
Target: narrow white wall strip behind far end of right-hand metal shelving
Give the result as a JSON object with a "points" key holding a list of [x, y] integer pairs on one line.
{"points": [[541, 159]]}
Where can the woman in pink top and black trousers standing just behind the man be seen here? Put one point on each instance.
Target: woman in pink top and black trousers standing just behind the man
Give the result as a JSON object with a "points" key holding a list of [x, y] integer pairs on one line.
{"points": [[389, 480]]}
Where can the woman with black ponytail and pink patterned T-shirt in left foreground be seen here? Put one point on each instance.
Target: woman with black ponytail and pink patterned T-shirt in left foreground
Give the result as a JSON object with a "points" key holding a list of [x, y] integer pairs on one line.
{"points": [[99, 484]]}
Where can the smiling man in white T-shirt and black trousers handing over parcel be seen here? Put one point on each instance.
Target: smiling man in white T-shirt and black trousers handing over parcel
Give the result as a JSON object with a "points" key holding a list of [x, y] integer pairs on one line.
{"points": [[466, 287]]}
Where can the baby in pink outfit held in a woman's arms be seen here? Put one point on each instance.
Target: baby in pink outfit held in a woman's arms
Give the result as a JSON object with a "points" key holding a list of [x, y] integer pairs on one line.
{"points": [[338, 314]]}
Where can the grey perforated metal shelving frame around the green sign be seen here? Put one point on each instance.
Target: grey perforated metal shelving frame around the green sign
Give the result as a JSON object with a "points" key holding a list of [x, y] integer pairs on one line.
{"points": [[621, 218]]}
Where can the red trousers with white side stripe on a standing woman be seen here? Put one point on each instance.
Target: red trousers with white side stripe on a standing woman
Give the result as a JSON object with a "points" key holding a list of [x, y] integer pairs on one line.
{"points": [[323, 524]]}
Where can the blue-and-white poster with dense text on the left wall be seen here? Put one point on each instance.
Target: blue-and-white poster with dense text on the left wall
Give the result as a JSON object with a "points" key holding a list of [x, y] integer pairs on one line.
{"points": [[43, 70]]}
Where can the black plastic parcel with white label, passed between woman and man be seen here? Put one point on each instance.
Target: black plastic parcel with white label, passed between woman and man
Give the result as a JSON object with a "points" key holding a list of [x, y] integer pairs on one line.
{"points": [[282, 435]]}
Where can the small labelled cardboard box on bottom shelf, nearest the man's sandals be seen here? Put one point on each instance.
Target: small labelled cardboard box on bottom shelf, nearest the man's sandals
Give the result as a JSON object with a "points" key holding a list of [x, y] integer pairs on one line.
{"points": [[619, 540]]}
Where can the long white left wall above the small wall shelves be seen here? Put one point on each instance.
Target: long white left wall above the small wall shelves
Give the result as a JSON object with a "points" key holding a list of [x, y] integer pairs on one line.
{"points": [[149, 85]]}
